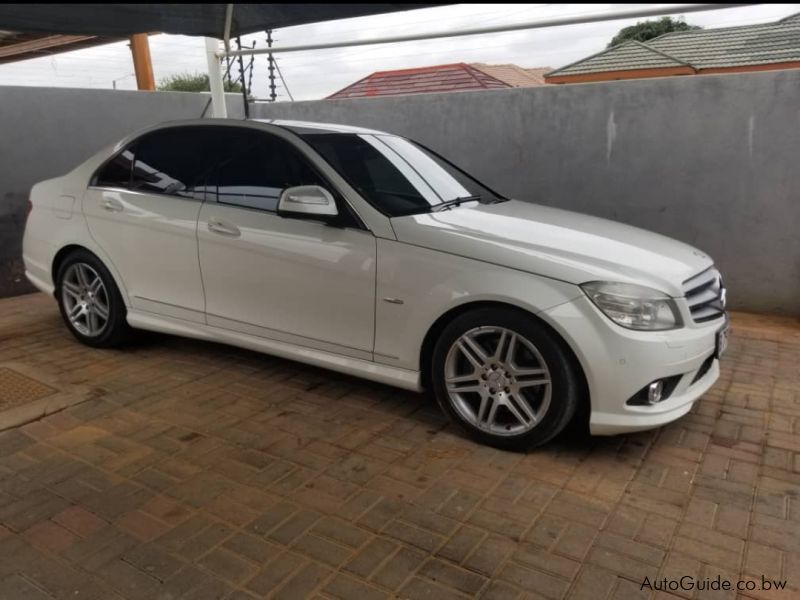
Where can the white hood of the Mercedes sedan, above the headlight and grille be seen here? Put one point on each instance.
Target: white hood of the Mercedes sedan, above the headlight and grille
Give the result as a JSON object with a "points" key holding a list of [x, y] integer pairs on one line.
{"points": [[555, 243]]}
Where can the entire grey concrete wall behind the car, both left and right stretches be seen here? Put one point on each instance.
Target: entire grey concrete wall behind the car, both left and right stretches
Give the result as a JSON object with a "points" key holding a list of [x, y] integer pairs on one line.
{"points": [[708, 160]]}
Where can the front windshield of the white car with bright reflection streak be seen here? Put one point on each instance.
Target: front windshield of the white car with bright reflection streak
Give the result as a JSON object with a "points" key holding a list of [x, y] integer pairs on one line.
{"points": [[396, 176]]}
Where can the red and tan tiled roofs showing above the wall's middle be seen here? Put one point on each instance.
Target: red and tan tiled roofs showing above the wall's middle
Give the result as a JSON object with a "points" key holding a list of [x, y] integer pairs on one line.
{"points": [[456, 77]]}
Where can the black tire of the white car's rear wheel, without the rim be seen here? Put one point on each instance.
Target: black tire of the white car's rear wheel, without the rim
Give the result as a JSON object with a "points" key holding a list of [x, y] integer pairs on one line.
{"points": [[116, 330]]}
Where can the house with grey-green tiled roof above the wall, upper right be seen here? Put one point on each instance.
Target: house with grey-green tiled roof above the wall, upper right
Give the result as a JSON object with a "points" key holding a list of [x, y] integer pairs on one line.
{"points": [[768, 46]]}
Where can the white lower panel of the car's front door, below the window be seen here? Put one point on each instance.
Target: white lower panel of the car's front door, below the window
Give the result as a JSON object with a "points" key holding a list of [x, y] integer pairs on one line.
{"points": [[295, 280]]}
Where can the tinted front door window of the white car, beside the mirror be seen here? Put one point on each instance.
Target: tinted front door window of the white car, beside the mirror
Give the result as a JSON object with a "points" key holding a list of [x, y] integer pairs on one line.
{"points": [[255, 173]]}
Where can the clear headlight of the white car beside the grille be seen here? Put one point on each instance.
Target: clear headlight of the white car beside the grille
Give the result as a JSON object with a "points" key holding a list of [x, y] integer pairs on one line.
{"points": [[634, 306]]}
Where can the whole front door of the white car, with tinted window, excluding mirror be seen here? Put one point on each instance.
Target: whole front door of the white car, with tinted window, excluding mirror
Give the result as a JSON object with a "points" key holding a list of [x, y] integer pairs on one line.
{"points": [[297, 280]]}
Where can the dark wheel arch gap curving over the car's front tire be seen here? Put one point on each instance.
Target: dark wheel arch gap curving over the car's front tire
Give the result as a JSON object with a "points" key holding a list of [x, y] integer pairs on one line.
{"points": [[435, 330]]}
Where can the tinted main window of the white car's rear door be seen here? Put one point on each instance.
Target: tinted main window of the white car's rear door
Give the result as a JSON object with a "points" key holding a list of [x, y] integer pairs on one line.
{"points": [[173, 161]]}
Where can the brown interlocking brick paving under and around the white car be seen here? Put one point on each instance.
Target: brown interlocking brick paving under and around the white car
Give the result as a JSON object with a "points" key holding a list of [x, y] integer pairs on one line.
{"points": [[203, 471]]}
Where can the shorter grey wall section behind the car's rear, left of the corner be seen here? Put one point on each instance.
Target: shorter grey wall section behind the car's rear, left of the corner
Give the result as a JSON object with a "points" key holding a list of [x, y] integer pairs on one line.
{"points": [[45, 132]]}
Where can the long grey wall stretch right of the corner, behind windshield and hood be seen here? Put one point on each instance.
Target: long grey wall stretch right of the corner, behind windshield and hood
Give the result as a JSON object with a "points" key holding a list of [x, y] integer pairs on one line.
{"points": [[713, 161]]}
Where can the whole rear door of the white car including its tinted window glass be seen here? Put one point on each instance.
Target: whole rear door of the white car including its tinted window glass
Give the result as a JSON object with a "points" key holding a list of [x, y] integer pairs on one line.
{"points": [[142, 209]]}
